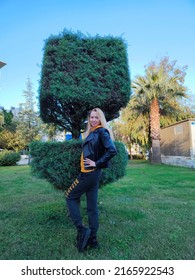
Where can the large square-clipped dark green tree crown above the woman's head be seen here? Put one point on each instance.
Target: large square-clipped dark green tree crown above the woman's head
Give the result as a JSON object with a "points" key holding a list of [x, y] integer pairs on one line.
{"points": [[79, 73]]}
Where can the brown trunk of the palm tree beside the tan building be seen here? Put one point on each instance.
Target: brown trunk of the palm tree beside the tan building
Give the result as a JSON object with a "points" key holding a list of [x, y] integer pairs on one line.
{"points": [[155, 131]]}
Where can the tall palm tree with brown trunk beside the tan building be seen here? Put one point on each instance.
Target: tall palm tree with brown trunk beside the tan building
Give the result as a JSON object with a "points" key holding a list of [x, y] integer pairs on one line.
{"points": [[157, 93]]}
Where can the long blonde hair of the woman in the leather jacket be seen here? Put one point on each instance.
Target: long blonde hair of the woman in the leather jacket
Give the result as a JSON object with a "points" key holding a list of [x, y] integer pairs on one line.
{"points": [[103, 122]]}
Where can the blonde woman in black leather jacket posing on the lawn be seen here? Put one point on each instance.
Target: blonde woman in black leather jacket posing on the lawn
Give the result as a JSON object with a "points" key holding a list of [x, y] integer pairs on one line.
{"points": [[98, 148]]}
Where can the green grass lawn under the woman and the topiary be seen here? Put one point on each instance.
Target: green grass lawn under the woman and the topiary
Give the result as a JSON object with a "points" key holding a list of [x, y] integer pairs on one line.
{"points": [[147, 215]]}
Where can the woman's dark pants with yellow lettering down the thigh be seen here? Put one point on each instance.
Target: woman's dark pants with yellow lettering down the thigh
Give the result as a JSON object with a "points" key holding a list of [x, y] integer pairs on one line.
{"points": [[85, 183]]}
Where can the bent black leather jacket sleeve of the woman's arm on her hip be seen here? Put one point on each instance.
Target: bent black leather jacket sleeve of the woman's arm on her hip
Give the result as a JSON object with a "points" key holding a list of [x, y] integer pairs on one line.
{"points": [[109, 147]]}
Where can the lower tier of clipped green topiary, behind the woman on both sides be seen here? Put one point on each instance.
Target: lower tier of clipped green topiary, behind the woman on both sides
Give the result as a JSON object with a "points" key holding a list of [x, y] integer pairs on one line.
{"points": [[59, 162]]}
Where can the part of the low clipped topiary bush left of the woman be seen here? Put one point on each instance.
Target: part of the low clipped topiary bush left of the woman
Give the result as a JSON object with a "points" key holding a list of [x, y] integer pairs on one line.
{"points": [[58, 162]]}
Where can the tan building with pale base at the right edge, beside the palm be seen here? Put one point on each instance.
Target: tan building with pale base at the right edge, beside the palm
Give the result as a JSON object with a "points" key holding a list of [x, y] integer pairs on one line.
{"points": [[178, 143]]}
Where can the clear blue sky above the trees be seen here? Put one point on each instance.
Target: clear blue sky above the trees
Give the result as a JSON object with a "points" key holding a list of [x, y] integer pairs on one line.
{"points": [[153, 29]]}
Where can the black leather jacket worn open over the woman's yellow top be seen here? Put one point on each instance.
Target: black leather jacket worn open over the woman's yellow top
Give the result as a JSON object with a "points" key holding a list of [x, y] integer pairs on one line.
{"points": [[99, 147]]}
